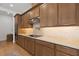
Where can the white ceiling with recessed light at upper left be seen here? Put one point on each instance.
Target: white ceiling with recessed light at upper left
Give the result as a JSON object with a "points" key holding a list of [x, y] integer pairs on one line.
{"points": [[16, 7]]}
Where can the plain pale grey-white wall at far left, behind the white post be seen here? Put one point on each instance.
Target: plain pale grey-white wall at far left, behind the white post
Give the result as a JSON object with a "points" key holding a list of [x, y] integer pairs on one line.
{"points": [[6, 26]]}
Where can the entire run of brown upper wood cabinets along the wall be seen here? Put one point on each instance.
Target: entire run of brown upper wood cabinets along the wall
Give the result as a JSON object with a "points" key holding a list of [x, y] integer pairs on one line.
{"points": [[52, 14]]}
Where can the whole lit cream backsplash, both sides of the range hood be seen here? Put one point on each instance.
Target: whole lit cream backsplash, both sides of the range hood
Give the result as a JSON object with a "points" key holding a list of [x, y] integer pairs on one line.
{"points": [[69, 32]]}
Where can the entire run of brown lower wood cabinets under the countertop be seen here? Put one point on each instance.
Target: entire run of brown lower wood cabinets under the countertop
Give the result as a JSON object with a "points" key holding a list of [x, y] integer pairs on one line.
{"points": [[42, 48]]}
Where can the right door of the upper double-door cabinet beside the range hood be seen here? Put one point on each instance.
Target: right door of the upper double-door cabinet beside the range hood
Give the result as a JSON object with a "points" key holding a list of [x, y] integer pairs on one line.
{"points": [[52, 14]]}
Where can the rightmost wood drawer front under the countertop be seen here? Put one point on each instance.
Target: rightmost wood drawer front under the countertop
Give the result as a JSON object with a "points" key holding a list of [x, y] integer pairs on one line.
{"points": [[67, 50]]}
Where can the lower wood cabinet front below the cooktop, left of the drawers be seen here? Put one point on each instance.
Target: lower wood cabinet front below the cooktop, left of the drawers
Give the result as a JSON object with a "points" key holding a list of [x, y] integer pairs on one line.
{"points": [[29, 45]]}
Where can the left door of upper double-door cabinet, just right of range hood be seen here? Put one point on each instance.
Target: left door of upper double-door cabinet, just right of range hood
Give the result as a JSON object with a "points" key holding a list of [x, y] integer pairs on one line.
{"points": [[43, 15]]}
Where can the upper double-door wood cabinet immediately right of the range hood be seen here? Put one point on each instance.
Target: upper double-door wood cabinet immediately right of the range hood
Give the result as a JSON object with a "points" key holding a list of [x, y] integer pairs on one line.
{"points": [[48, 15]]}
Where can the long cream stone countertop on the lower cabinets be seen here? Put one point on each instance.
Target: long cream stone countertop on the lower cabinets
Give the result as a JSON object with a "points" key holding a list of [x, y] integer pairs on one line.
{"points": [[73, 43]]}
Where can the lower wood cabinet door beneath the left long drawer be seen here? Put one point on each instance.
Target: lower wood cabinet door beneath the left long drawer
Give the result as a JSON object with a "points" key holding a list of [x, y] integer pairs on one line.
{"points": [[41, 50]]}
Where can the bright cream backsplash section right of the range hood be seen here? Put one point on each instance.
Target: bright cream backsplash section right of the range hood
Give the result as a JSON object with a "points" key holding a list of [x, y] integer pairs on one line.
{"points": [[69, 32]]}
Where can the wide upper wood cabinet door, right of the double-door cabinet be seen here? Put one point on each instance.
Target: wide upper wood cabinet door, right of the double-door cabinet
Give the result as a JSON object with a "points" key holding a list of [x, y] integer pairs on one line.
{"points": [[67, 14]]}
